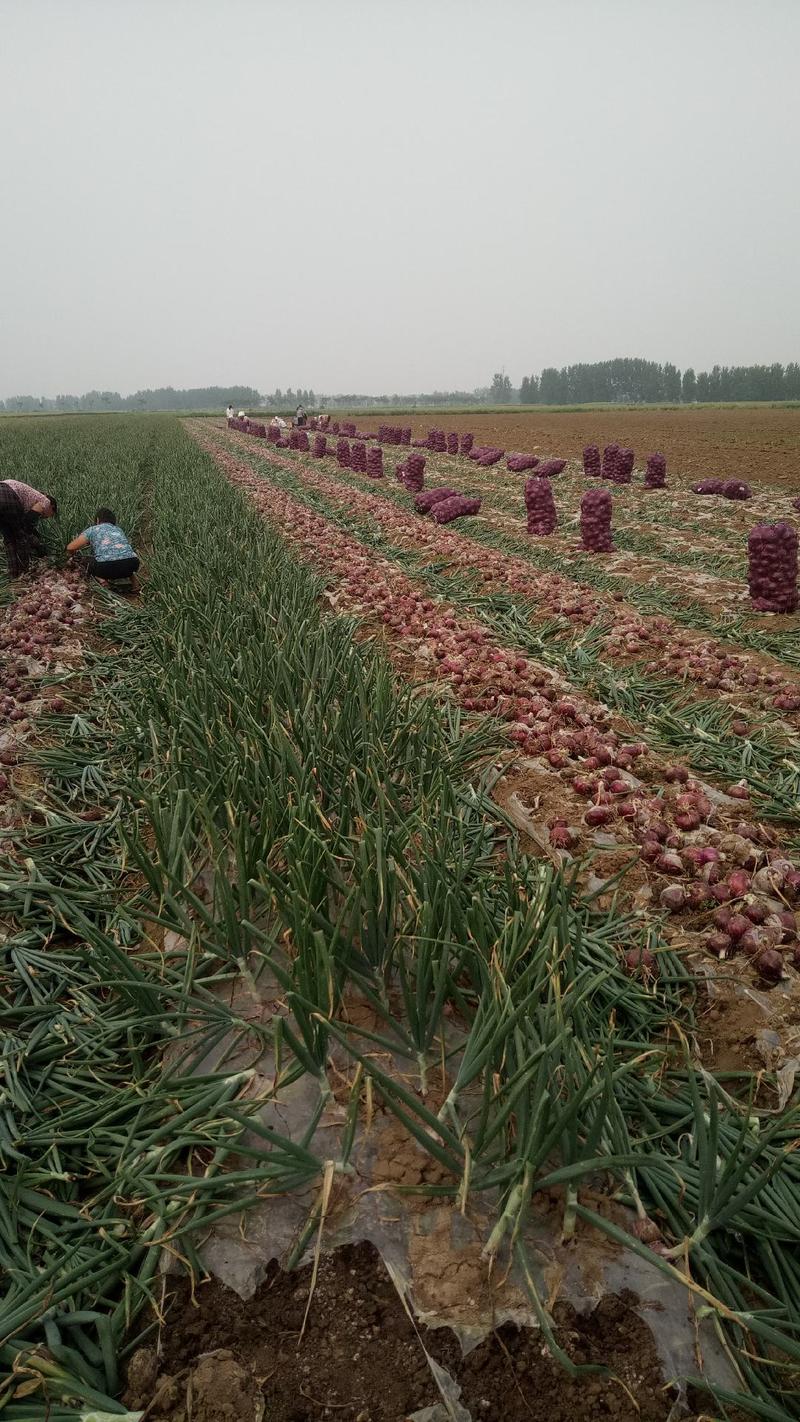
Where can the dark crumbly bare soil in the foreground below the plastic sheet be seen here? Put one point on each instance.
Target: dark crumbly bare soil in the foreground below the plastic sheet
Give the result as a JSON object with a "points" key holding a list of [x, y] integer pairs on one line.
{"points": [[360, 1357]]}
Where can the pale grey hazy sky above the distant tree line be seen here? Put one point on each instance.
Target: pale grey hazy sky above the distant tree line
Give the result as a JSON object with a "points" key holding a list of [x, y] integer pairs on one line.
{"points": [[393, 196]]}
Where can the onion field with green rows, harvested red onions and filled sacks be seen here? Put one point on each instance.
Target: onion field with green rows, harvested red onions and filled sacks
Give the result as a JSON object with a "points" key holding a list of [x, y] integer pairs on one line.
{"points": [[400, 922]]}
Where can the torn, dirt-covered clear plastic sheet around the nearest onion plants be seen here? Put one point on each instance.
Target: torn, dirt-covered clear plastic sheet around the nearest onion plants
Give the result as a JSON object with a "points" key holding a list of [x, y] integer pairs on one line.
{"points": [[433, 1249]]}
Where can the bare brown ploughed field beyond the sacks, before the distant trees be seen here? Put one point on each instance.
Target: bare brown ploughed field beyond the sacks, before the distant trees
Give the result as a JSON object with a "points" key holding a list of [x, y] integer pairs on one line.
{"points": [[755, 443]]}
